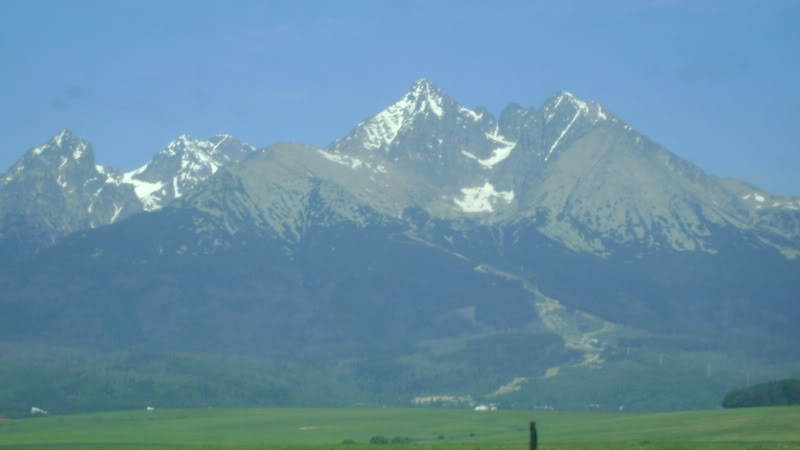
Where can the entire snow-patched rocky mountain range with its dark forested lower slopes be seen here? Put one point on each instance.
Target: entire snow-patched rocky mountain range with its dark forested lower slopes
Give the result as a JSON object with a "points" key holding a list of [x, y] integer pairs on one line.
{"points": [[435, 255]]}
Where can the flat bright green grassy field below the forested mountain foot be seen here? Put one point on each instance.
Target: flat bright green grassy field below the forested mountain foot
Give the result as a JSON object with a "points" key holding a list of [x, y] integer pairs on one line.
{"points": [[757, 428]]}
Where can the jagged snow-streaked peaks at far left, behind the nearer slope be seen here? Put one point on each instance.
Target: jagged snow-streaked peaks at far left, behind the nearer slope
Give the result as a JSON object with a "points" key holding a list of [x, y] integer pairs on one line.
{"points": [[57, 188]]}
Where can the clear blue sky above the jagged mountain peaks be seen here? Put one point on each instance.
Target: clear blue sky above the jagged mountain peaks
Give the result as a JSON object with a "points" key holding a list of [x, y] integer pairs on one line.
{"points": [[714, 81]]}
